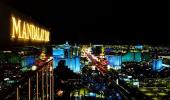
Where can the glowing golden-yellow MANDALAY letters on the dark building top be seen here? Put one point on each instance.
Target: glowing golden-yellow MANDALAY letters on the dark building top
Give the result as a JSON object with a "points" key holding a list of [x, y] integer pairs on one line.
{"points": [[27, 31]]}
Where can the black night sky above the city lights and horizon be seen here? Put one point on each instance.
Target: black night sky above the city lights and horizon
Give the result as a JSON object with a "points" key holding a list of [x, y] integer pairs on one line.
{"points": [[99, 22]]}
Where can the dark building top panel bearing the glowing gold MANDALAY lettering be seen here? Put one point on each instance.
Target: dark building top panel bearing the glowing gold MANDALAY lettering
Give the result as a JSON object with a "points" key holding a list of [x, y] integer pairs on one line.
{"points": [[16, 29]]}
